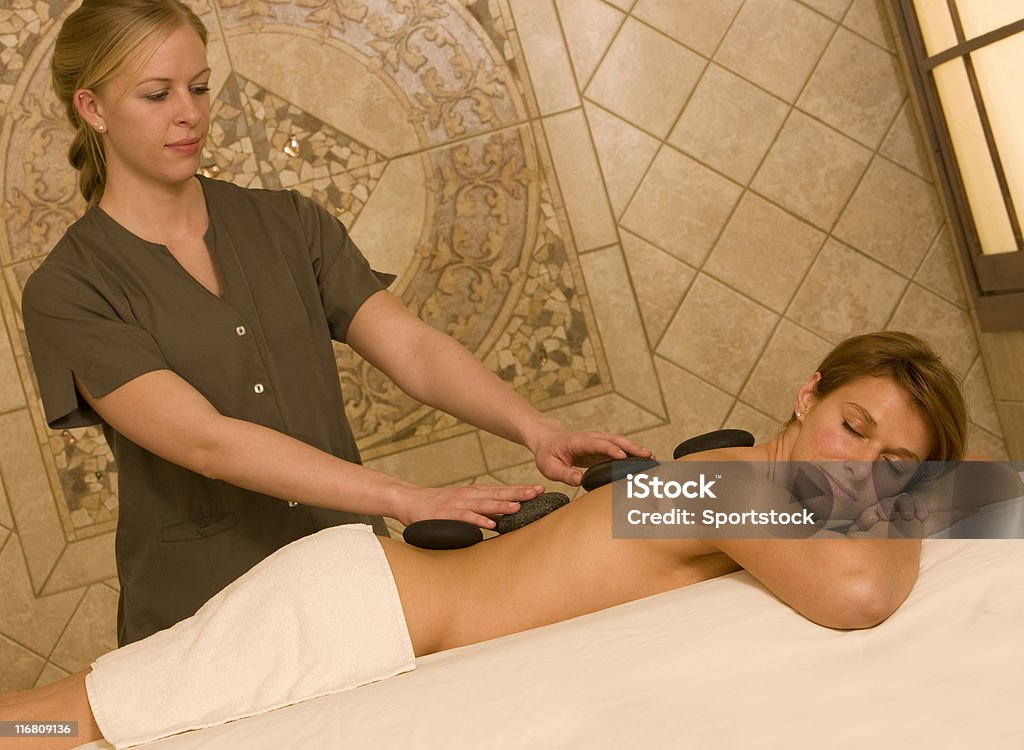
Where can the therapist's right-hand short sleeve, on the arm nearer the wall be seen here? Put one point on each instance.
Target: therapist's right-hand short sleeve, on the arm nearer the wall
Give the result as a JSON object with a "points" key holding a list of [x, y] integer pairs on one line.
{"points": [[344, 275]]}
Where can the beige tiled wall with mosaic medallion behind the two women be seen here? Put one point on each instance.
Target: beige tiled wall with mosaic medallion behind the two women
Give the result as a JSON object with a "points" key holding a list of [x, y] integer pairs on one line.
{"points": [[651, 217]]}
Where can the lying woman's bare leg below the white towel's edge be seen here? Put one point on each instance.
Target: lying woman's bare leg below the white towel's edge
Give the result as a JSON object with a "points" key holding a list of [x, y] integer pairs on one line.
{"points": [[65, 700]]}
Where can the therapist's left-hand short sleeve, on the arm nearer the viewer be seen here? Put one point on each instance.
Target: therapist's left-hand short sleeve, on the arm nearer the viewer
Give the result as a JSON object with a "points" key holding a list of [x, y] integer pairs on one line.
{"points": [[74, 330]]}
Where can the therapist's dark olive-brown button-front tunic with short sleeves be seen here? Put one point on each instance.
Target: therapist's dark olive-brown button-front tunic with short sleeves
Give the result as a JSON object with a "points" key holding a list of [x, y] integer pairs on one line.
{"points": [[107, 307]]}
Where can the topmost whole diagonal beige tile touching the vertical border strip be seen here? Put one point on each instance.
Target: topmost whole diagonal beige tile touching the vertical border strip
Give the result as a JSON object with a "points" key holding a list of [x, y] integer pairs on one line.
{"points": [[646, 78]]}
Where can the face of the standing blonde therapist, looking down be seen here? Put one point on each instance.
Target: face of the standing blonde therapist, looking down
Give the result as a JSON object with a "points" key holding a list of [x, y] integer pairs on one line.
{"points": [[155, 112]]}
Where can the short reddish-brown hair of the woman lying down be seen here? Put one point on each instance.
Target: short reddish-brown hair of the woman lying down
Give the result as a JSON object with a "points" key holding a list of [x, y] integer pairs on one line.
{"points": [[916, 368]]}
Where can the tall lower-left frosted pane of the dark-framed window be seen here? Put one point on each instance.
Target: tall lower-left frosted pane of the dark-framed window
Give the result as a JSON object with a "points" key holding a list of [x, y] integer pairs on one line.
{"points": [[976, 169]]}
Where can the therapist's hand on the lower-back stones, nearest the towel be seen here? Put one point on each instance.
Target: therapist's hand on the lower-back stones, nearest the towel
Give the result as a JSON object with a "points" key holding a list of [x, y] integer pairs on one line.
{"points": [[474, 505]]}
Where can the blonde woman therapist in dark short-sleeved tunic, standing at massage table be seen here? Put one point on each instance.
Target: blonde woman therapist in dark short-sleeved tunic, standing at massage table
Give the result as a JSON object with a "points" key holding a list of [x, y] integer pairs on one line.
{"points": [[194, 319]]}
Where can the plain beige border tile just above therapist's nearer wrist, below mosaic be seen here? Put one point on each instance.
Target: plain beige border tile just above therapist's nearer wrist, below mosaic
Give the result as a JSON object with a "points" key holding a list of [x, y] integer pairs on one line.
{"points": [[439, 464]]}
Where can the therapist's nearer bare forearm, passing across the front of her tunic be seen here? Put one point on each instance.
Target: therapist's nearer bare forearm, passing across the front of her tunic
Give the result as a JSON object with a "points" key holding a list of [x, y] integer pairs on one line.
{"points": [[265, 461]]}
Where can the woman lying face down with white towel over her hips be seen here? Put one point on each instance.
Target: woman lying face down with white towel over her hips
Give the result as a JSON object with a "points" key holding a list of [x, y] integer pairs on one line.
{"points": [[878, 405]]}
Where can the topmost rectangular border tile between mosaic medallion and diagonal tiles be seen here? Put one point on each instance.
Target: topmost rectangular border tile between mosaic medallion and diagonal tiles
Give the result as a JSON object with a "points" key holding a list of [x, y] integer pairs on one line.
{"points": [[547, 58]]}
